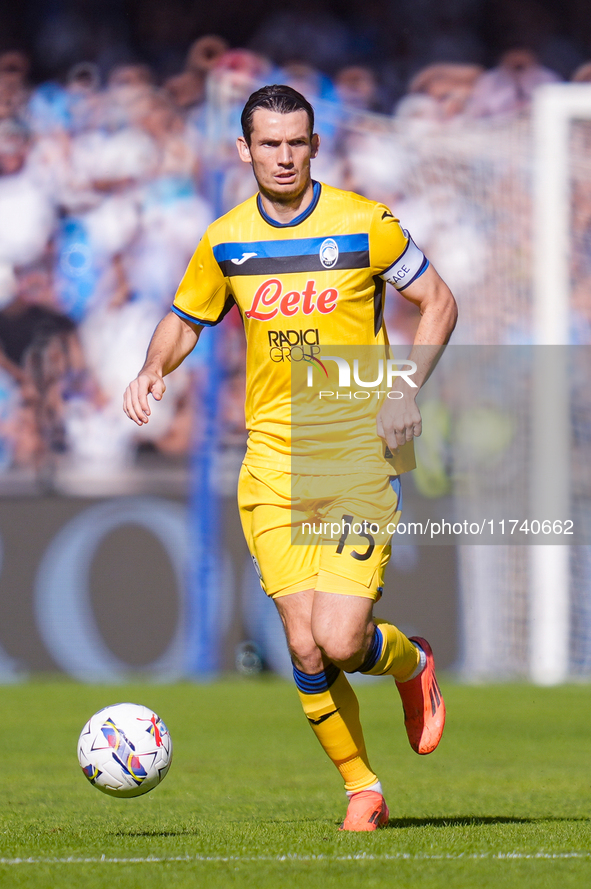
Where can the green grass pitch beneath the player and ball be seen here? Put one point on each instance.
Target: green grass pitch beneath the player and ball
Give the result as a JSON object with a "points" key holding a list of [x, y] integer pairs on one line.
{"points": [[250, 800]]}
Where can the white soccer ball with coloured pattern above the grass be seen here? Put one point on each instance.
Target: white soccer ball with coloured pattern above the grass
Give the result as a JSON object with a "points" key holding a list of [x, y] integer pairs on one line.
{"points": [[125, 750]]}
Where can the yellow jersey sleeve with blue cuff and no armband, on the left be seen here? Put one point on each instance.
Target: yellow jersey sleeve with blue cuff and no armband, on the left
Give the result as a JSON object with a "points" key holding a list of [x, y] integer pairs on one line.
{"points": [[204, 295]]}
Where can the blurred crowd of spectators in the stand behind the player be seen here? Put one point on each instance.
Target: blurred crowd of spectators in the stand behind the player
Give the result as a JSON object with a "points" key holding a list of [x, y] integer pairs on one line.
{"points": [[116, 153]]}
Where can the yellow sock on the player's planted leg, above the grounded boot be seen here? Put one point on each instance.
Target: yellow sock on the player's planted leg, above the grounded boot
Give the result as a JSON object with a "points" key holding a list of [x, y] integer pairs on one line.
{"points": [[334, 717]]}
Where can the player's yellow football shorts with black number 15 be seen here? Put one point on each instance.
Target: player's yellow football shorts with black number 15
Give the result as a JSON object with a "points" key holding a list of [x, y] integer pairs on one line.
{"points": [[329, 533]]}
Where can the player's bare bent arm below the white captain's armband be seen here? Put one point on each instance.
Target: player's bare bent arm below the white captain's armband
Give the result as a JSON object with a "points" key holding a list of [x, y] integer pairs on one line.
{"points": [[399, 420]]}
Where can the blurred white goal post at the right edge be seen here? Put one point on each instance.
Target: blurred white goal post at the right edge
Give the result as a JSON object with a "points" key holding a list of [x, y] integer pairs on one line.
{"points": [[555, 107]]}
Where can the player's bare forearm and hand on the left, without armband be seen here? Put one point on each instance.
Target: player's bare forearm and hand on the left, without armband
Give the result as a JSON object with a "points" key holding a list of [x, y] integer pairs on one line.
{"points": [[171, 342]]}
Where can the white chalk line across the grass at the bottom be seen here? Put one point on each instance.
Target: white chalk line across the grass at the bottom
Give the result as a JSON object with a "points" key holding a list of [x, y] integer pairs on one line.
{"points": [[254, 859]]}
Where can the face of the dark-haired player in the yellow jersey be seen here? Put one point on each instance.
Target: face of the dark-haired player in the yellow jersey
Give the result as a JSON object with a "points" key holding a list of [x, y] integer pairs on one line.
{"points": [[280, 151]]}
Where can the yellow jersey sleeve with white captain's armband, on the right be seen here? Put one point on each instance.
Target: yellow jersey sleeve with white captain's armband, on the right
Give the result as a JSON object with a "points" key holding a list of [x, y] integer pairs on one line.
{"points": [[393, 254]]}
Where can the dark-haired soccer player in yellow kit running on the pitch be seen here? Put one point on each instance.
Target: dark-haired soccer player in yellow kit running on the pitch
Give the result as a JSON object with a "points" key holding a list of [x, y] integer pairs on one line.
{"points": [[306, 264]]}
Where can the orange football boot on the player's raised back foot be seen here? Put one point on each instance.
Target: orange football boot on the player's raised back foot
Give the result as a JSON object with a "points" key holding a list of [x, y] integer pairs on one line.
{"points": [[422, 701]]}
